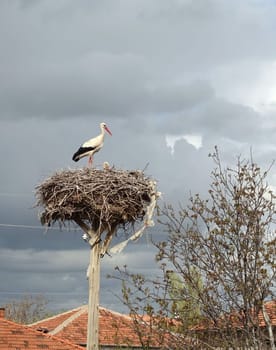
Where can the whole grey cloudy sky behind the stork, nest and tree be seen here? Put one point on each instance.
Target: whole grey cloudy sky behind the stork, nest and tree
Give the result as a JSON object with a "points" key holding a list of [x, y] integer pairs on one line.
{"points": [[170, 78]]}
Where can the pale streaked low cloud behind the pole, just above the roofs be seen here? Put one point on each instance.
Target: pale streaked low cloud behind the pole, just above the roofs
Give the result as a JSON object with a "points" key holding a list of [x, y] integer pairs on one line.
{"points": [[60, 274]]}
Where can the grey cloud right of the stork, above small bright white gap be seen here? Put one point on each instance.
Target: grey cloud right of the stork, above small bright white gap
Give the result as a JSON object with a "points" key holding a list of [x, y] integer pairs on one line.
{"points": [[215, 118]]}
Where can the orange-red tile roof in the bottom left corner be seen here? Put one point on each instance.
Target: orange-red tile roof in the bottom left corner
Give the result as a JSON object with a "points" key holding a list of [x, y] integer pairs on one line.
{"points": [[15, 336]]}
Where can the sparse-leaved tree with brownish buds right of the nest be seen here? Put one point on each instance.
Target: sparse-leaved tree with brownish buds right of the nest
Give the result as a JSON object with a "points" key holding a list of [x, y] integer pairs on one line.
{"points": [[229, 239]]}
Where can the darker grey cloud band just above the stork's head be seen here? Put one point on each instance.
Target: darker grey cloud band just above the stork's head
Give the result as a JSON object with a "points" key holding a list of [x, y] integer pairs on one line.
{"points": [[116, 88]]}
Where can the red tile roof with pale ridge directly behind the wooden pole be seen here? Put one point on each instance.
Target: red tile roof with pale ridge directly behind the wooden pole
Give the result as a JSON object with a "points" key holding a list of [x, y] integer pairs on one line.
{"points": [[114, 328]]}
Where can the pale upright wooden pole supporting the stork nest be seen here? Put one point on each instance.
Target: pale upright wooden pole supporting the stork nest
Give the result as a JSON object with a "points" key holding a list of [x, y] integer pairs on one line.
{"points": [[93, 303]]}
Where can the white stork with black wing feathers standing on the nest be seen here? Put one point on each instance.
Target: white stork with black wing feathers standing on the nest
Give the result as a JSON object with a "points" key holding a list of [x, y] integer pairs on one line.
{"points": [[88, 148]]}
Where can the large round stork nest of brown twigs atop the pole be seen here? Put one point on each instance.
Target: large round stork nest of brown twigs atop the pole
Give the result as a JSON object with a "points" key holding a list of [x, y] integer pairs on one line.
{"points": [[103, 199]]}
